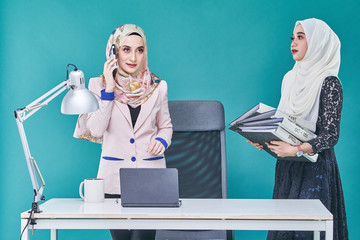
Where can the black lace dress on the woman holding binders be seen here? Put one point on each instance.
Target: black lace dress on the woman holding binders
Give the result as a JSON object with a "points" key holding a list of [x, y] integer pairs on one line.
{"points": [[320, 180]]}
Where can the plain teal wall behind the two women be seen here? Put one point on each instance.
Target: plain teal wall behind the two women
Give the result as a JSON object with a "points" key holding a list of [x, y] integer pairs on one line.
{"points": [[235, 52]]}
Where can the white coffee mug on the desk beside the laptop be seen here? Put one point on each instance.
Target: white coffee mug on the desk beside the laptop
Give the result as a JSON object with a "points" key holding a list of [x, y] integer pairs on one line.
{"points": [[93, 190]]}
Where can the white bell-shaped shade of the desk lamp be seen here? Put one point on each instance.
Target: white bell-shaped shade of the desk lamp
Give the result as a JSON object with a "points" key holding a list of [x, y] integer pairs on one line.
{"points": [[78, 100]]}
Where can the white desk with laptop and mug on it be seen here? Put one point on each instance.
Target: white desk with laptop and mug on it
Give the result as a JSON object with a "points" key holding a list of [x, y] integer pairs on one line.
{"points": [[199, 214]]}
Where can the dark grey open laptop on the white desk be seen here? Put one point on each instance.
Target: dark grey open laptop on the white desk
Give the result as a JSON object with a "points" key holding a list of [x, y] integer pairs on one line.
{"points": [[149, 187]]}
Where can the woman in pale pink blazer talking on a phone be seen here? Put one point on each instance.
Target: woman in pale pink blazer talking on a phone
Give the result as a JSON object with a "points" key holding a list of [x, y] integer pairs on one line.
{"points": [[133, 122]]}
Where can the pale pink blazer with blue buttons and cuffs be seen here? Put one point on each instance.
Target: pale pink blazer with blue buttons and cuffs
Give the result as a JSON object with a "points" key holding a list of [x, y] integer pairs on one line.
{"points": [[124, 146]]}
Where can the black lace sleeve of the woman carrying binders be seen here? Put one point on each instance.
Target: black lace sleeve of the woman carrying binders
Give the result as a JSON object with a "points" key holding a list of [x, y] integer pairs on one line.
{"points": [[328, 124]]}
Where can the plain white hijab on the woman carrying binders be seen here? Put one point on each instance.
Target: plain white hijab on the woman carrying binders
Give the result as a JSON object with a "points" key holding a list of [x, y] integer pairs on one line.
{"points": [[301, 86]]}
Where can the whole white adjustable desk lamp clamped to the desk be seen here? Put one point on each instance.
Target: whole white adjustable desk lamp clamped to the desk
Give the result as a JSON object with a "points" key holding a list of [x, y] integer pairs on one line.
{"points": [[77, 101]]}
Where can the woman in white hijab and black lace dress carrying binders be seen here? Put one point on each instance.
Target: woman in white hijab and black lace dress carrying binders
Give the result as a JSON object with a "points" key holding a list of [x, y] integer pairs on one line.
{"points": [[312, 91]]}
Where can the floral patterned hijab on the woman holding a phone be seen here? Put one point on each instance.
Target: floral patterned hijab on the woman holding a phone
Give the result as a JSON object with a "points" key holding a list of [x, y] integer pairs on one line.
{"points": [[132, 89]]}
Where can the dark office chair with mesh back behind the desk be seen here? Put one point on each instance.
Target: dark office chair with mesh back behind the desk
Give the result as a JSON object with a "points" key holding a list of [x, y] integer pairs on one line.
{"points": [[198, 152]]}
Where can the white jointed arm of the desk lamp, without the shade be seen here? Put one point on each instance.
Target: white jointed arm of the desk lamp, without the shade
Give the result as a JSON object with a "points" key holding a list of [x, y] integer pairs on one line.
{"points": [[21, 115]]}
